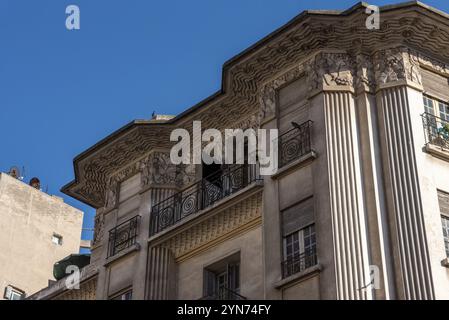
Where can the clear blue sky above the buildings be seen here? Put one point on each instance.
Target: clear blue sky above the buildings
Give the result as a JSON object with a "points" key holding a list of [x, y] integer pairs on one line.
{"points": [[61, 91]]}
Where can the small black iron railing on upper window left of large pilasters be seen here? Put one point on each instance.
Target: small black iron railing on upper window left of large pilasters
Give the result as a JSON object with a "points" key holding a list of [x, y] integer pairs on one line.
{"points": [[295, 143]]}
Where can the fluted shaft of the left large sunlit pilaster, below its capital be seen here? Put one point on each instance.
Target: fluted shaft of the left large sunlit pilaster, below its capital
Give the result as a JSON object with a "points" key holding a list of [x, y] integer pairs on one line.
{"points": [[347, 209]]}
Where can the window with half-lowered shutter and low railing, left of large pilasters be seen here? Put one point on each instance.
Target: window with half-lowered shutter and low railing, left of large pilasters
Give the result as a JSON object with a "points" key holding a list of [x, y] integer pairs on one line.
{"points": [[299, 239]]}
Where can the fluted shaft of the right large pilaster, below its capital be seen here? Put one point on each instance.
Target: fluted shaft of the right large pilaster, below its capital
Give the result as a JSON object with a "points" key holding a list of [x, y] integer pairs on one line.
{"points": [[405, 195]]}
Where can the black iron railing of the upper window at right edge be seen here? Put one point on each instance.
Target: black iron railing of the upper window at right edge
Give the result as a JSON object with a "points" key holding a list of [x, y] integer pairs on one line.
{"points": [[436, 130]]}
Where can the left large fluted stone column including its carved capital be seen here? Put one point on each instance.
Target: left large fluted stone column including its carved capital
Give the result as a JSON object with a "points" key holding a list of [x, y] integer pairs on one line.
{"points": [[333, 74]]}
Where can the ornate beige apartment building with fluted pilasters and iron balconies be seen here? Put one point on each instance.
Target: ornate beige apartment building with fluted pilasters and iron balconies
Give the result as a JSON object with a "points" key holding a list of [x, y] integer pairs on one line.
{"points": [[359, 208]]}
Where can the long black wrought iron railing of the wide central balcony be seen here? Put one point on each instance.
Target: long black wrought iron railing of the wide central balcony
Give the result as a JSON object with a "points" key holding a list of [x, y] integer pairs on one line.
{"points": [[201, 195]]}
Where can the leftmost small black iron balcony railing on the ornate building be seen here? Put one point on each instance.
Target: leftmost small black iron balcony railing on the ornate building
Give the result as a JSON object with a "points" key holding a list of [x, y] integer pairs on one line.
{"points": [[123, 236]]}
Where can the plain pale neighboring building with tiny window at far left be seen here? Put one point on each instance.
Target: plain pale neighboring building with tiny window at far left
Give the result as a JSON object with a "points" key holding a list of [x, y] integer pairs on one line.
{"points": [[36, 230]]}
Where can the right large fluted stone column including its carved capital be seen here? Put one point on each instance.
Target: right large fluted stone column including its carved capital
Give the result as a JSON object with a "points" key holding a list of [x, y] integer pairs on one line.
{"points": [[397, 74]]}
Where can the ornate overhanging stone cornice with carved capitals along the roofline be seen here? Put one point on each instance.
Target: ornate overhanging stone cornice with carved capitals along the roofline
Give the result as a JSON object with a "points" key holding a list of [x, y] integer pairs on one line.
{"points": [[412, 26]]}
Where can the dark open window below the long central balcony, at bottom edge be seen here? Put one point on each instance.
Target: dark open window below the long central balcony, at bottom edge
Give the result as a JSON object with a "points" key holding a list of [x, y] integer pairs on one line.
{"points": [[222, 280]]}
